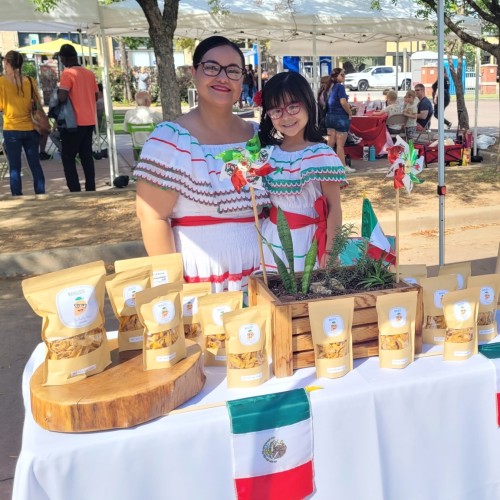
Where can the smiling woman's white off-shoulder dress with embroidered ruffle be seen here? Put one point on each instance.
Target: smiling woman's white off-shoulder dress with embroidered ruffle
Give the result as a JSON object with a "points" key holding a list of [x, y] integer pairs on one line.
{"points": [[223, 254]]}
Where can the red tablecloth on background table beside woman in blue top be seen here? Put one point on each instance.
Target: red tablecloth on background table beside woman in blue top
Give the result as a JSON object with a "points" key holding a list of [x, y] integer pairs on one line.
{"points": [[372, 130]]}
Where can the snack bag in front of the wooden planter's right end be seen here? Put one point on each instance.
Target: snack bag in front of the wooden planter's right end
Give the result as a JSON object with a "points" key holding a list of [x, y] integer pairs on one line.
{"points": [[396, 325]]}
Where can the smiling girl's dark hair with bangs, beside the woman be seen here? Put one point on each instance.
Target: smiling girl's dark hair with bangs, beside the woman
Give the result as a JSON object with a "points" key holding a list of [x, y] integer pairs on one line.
{"points": [[281, 90]]}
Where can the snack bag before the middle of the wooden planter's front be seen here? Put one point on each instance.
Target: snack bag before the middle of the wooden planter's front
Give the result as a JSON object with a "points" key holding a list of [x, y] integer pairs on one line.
{"points": [[331, 329]]}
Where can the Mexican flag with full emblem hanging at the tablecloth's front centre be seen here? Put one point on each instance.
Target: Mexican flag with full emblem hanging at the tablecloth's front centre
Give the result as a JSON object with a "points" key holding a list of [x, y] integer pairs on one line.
{"points": [[272, 446]]}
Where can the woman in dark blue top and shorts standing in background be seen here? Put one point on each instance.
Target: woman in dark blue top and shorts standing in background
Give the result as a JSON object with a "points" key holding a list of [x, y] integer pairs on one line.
{"points": [[338, 115]]}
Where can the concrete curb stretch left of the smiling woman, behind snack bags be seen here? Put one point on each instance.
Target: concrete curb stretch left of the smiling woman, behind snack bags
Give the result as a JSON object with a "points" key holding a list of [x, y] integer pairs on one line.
{"points": [[46, 261]]}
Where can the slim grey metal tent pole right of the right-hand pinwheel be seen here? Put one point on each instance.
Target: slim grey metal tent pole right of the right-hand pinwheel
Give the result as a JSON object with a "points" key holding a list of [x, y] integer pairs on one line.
{"points": [[441, 180]]}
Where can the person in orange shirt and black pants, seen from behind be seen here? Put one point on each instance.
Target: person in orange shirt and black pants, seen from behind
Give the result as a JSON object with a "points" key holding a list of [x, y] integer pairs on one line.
{"points": [[80, 87]]}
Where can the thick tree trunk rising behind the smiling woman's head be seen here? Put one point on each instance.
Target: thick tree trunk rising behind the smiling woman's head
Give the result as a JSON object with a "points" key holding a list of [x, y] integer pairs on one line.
{"points": [[161, 30]]}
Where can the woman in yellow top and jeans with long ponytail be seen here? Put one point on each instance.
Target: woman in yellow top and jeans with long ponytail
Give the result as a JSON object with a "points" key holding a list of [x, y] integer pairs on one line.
{"points": [[18, 130]]}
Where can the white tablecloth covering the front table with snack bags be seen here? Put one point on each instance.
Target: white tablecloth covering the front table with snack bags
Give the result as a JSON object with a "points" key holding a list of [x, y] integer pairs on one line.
{"points": [[427, 432]]}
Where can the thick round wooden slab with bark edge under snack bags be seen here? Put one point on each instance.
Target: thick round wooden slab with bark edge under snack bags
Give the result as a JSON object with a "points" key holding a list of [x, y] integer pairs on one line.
{"points": [[122, 396]]}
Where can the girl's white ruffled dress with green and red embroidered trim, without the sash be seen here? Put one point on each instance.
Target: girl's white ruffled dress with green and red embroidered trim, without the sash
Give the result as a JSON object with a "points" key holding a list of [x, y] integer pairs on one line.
{"points": [[294, 187]]}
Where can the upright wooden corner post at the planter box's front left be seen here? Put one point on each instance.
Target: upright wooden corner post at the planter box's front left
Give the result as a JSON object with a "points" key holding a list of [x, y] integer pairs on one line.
{"points": [[282, 341]]}
